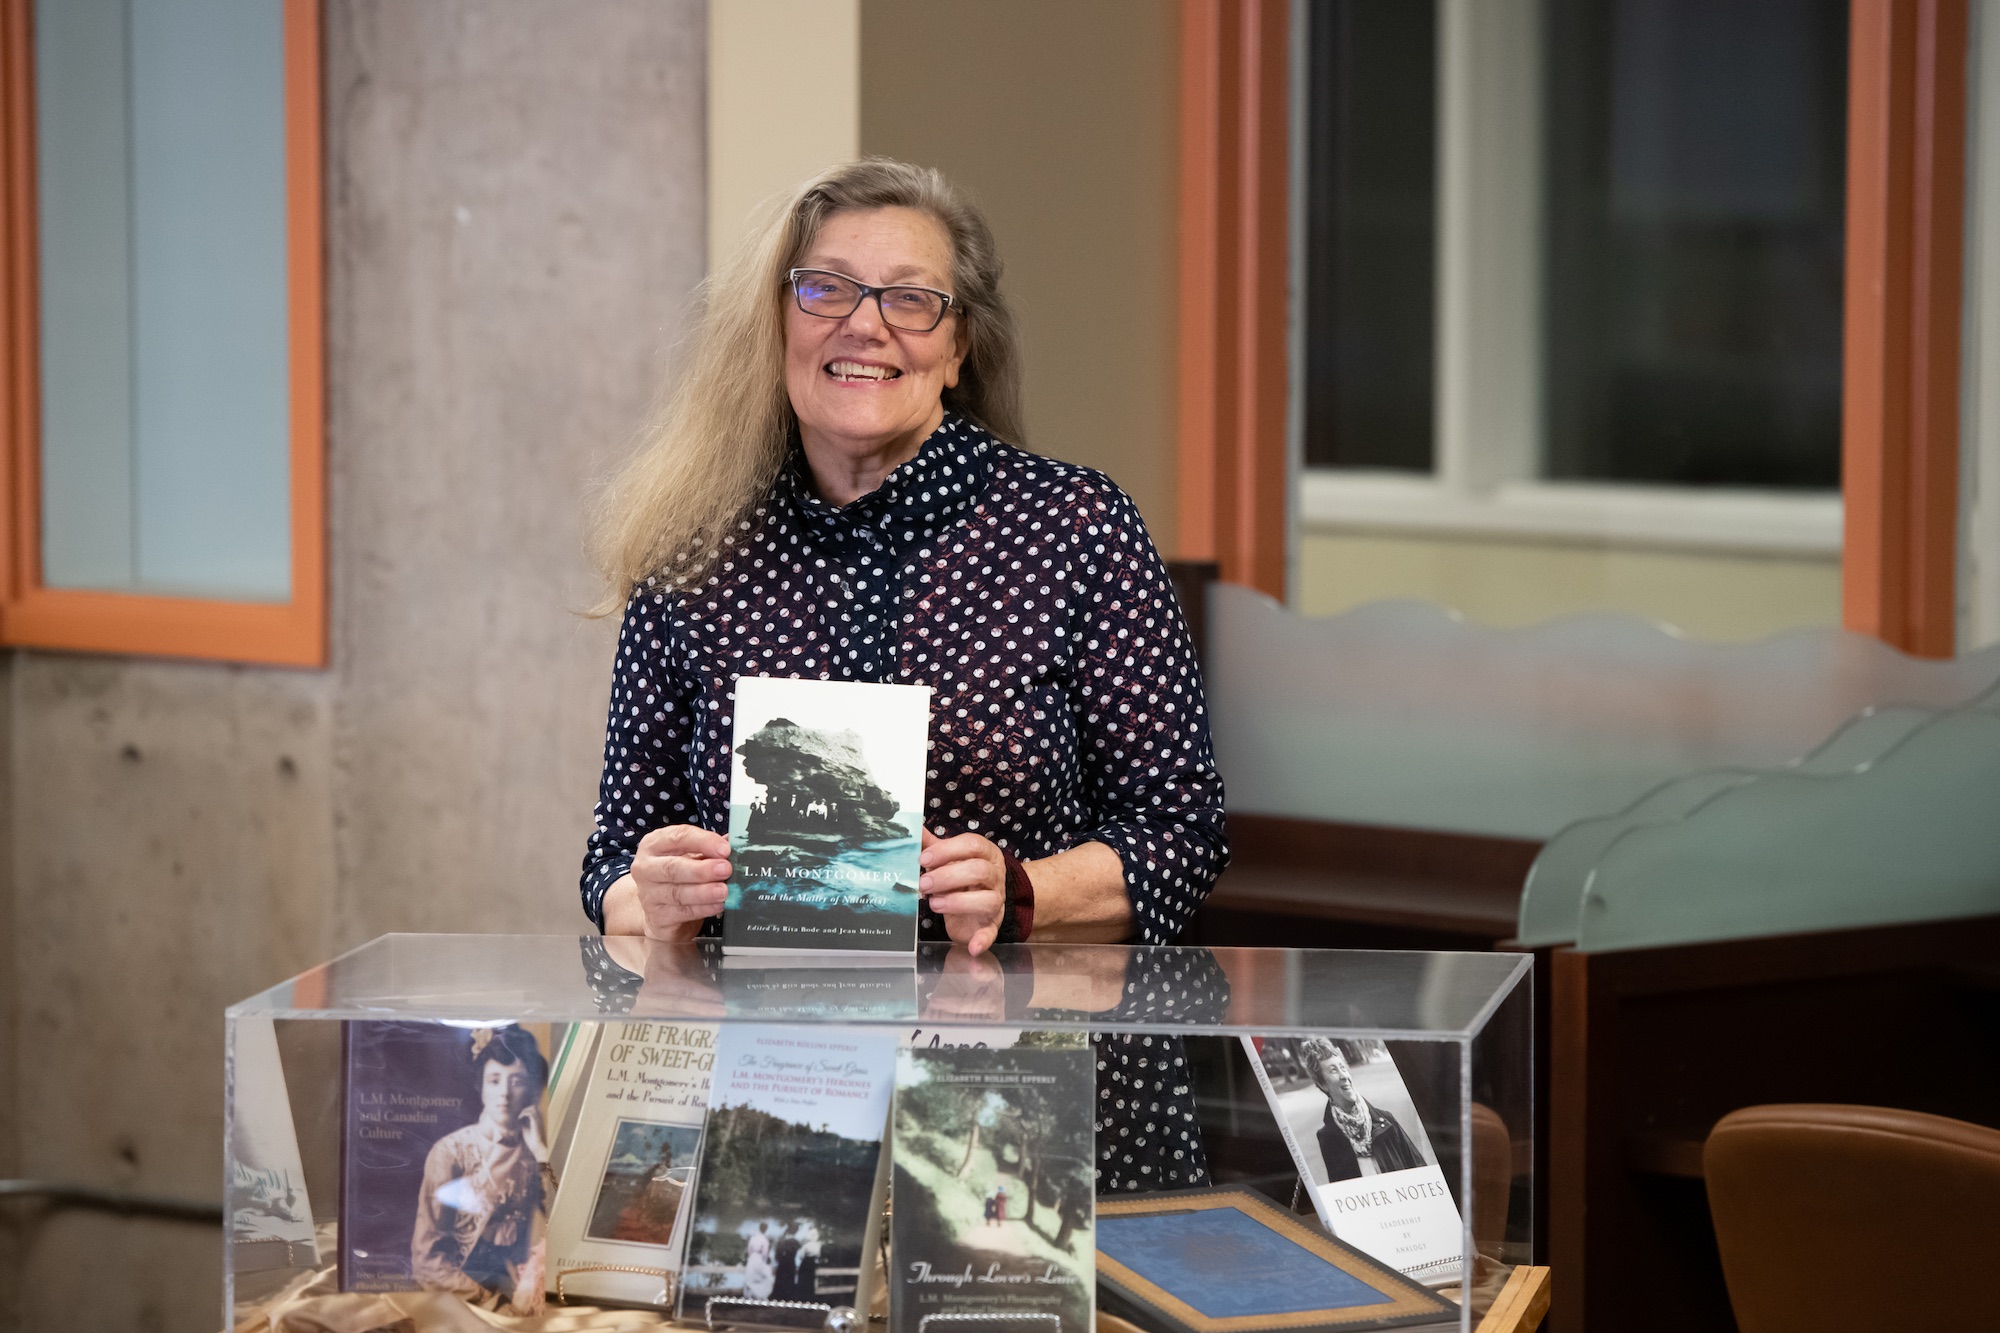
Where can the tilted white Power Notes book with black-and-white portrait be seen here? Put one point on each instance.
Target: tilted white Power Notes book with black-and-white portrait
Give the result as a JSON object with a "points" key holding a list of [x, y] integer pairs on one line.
{"points": [[1359, 1142]]}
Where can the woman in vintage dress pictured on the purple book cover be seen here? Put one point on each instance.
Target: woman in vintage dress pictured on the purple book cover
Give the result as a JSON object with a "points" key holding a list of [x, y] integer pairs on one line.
{"points": [[479, 1212]]}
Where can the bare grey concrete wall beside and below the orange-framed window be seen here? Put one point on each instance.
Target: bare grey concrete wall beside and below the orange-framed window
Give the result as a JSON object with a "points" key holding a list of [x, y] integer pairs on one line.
{"points": [[515, 223]]}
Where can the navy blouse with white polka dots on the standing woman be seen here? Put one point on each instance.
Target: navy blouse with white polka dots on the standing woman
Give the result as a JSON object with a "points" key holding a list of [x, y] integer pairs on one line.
{"points": [[1067, 704]]}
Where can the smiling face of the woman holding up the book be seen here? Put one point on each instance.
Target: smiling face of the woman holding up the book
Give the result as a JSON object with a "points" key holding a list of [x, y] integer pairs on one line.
{"points": [[859, 385]]}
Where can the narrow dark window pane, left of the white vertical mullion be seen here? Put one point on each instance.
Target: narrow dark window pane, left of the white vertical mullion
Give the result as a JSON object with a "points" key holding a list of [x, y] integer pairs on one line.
{"points": [[1371, 233]]}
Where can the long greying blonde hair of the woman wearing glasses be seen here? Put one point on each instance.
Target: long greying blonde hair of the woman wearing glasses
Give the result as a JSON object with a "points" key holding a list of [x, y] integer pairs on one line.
{"points": [[719, 439]]}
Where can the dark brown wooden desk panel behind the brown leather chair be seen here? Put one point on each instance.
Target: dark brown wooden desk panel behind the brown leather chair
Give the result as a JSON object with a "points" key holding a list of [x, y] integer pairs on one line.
{"points": [[1651, 1048]]}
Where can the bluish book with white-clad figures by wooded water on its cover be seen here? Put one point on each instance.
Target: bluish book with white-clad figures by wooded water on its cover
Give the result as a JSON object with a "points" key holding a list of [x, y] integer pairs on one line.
{"points": [[793, 1174]]}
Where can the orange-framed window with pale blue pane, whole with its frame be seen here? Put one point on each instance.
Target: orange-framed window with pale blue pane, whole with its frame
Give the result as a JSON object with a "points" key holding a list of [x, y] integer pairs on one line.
{"points": [[165, 329]]}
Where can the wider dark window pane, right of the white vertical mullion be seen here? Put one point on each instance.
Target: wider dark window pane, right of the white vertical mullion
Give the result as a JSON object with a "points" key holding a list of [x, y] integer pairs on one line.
{"points": [[1697, 161]]}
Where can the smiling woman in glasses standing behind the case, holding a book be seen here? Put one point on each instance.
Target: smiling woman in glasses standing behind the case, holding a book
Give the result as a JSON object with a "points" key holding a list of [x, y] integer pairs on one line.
{"points": [[833, 493]]}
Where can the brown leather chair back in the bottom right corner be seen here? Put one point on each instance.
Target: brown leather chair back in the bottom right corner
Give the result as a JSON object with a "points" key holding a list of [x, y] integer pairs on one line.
{"points": [[1847, 1220]]}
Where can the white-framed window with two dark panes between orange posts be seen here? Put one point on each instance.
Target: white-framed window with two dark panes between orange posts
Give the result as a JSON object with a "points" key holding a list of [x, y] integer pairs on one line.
{"points": [[1541, 301]]}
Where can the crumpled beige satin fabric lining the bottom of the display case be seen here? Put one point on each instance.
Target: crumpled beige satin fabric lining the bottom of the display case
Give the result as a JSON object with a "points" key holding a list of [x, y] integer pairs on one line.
{"points": [[313, 1306]]}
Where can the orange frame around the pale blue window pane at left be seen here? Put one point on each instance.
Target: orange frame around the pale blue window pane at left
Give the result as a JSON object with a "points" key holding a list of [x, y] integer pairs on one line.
{"points": [[83, 621]]}
